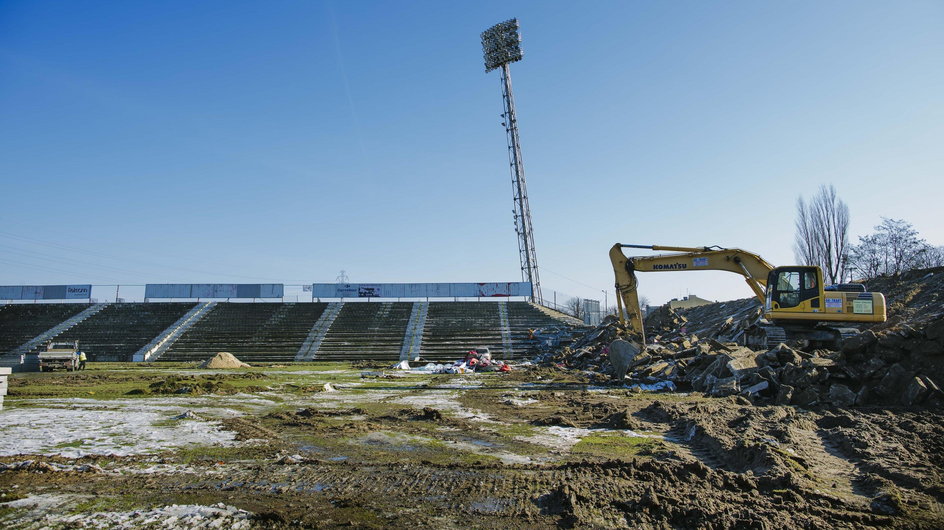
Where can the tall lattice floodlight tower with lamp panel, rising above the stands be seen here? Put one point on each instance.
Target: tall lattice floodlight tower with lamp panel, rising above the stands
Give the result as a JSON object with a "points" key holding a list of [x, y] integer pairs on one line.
{"points": [[501, 45]]}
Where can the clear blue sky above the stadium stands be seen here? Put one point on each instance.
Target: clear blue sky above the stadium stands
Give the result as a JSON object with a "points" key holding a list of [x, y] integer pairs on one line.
{"points": [[149, 142]]}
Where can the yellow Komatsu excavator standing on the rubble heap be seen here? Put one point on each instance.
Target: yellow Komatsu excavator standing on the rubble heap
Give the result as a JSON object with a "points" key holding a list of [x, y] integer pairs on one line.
{"points": [[796, 304]]}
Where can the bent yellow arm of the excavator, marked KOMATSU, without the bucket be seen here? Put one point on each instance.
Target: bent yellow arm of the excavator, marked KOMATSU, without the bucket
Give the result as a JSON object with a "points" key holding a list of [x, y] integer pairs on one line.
{"points": [[754, 269]]}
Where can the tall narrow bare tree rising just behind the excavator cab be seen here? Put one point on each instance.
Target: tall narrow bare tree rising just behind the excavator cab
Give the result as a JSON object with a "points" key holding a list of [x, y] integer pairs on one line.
{"points": [[822, 233]]}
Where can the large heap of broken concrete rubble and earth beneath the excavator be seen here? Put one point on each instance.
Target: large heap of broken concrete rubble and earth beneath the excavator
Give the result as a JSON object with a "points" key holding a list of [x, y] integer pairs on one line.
{"points": [[899, 362]]}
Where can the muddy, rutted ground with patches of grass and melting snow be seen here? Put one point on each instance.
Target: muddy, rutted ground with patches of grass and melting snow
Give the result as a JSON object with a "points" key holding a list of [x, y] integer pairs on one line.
{"points": [[173, 446]]}
